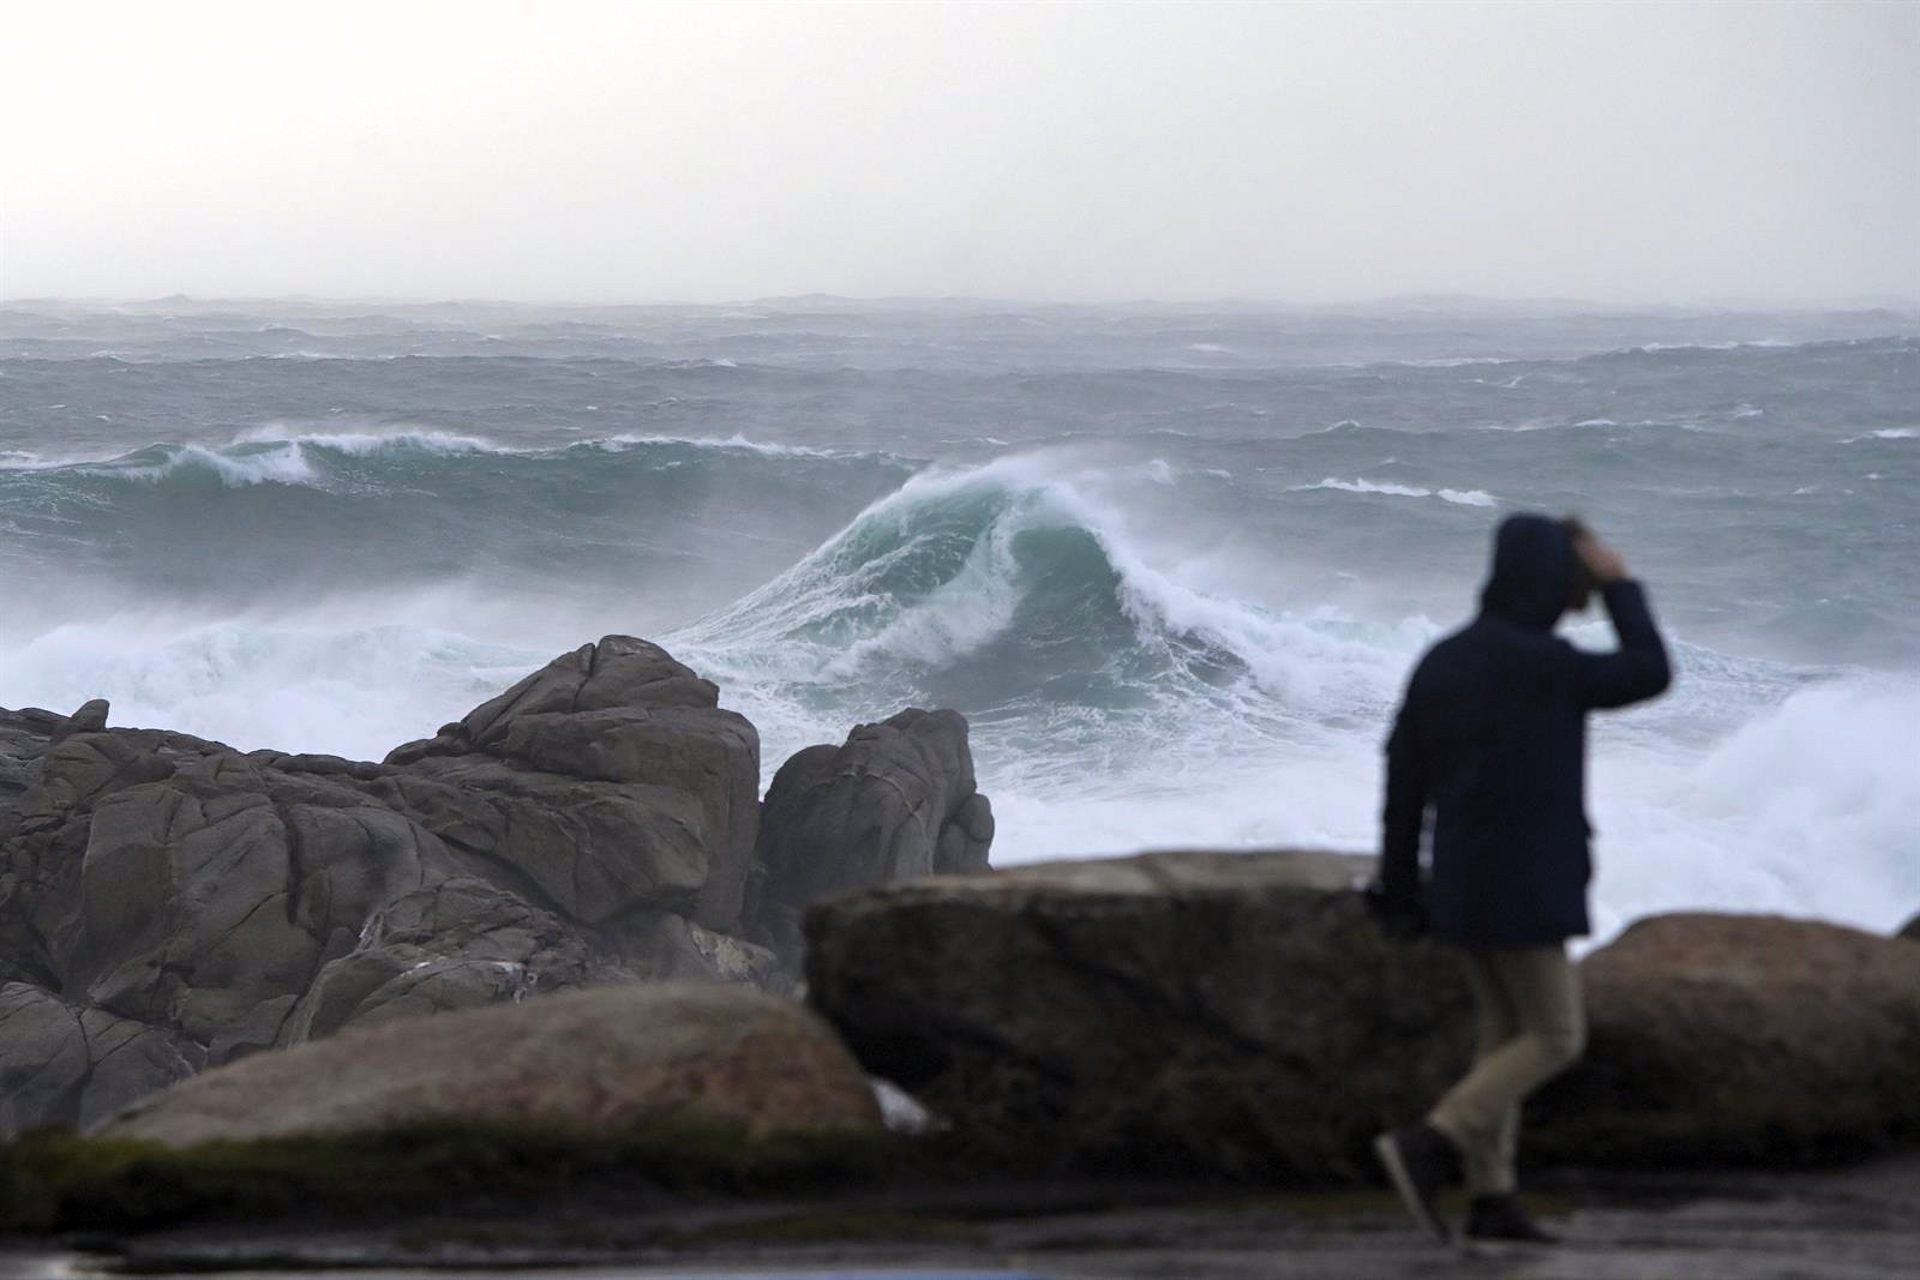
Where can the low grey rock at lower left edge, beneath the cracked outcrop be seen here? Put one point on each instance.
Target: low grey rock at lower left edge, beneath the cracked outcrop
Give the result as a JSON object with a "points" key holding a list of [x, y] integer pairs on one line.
{"points": [[64, 1064]]}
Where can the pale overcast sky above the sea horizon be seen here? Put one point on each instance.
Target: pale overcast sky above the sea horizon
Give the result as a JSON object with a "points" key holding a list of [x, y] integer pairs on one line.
{"points": [[648, 153]]}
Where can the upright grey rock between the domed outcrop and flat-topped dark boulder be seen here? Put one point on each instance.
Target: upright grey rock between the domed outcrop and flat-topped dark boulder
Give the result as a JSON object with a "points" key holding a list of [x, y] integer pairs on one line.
{"points": [[896, 803]]}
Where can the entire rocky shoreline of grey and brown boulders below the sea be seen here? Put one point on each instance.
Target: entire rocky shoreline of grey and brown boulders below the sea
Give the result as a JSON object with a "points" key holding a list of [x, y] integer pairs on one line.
{"points": [[560, 968]]}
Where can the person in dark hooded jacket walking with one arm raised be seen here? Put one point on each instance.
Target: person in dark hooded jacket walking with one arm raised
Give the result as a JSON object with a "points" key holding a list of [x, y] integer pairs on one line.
{"points": [[1491, 740]]}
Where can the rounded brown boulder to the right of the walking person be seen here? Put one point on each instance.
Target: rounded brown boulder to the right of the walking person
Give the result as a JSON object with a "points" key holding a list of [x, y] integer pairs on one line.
{"points": [[1740, 1039]]}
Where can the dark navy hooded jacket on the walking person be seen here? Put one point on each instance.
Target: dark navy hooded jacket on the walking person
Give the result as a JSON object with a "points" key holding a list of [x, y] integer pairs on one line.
{"points": [[1493, 742]]}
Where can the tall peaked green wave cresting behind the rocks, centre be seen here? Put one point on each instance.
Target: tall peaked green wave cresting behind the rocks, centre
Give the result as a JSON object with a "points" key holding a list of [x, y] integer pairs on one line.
{"points": [[1007, 584]]}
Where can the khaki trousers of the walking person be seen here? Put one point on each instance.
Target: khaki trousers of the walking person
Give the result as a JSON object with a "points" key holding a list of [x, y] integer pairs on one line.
{"points": [[1531, 1030]]}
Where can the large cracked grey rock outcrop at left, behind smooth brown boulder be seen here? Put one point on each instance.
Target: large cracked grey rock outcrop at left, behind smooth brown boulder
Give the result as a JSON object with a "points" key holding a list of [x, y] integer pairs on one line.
{"points": [[594, 824]]}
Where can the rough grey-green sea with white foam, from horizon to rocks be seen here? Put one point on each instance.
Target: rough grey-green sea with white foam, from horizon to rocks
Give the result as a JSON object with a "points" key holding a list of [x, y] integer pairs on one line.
{"points": [[1172, 561]]}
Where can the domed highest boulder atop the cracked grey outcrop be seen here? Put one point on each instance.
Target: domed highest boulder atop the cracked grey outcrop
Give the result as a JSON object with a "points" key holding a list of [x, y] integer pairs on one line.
{"points": [[610, 780]]}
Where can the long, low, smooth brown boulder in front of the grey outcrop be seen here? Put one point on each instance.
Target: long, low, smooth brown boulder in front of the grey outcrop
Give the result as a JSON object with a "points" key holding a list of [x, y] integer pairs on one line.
{"points": [[594, 1062]]}
